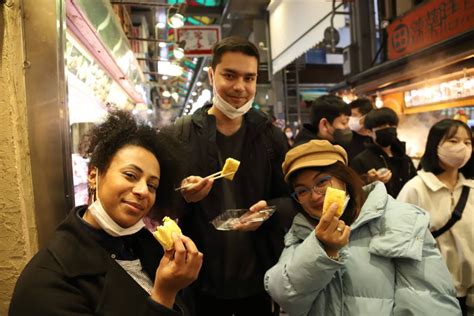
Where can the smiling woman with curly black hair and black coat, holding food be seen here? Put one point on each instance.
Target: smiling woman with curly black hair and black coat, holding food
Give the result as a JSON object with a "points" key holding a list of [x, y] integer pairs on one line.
{"points": [[101, 260]]}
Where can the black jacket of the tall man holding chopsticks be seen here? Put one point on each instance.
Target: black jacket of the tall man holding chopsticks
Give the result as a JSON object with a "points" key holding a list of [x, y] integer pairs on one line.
{"points": [[259, 177]]}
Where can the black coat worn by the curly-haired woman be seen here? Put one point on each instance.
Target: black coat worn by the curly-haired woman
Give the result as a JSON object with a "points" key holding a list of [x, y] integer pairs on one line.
{"points": [[74, 275]]}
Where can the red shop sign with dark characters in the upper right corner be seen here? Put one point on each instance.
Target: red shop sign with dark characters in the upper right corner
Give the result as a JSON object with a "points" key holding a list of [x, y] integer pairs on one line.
{"points": [[429, 24]]}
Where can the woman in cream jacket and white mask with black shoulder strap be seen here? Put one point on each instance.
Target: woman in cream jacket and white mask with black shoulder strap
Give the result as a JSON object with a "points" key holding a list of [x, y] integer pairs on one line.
{"points": [[444, 181]]}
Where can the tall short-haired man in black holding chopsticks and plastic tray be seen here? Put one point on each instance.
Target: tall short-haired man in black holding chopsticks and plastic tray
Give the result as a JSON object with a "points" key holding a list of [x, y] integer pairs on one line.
{"points": [[231, 280]]}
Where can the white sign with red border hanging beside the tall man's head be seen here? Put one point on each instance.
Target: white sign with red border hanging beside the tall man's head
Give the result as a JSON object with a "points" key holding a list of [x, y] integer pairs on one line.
{"points": [[199, 39]]}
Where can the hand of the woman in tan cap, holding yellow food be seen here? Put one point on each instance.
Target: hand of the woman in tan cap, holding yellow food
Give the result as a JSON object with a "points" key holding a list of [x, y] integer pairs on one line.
{"points": [[332, 232]]}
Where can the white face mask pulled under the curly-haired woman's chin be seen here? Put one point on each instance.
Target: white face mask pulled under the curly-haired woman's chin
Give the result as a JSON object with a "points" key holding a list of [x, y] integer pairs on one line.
{"points": [[105, 221]]}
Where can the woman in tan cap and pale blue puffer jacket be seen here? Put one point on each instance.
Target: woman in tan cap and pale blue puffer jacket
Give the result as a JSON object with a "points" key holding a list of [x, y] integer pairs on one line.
{"points": [[377, 258]]}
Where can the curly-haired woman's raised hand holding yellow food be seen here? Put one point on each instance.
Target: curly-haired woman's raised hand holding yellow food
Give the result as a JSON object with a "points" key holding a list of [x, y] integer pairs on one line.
{"points": [[178, 268]]}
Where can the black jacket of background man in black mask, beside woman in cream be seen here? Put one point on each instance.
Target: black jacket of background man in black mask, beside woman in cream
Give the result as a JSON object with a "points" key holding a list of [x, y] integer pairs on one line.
{"points": [[375, 158]]}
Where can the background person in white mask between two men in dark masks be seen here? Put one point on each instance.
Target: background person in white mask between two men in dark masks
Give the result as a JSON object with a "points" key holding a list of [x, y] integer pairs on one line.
{"points": [[360, 136]]}
